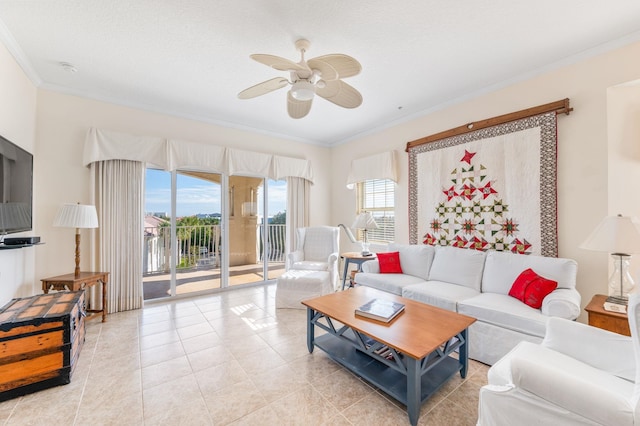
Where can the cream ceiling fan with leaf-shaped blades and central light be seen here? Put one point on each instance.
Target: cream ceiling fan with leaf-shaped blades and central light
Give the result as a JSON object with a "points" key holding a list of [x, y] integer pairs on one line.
{"points": [[320, 76]]}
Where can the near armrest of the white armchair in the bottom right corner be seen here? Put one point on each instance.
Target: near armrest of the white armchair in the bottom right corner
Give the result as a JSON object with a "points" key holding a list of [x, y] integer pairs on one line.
{"points": [[574, 386]]}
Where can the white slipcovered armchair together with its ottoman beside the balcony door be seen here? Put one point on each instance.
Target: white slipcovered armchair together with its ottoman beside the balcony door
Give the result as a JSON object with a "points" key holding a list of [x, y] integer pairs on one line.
{"points": [[312, 269]]}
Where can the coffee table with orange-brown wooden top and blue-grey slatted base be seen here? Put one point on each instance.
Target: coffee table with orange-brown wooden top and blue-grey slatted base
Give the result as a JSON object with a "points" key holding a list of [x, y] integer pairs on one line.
{"points": [[409, 358]]}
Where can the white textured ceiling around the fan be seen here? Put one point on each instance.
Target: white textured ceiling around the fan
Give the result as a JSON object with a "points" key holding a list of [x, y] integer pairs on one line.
{"points": [[191, 57]]}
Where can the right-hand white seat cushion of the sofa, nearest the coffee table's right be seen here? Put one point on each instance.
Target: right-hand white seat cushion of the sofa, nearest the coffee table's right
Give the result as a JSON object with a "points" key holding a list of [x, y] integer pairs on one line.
{"points": [[504, 311]]}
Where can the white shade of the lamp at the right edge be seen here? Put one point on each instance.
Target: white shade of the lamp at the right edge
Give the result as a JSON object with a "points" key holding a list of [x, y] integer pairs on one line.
{"points": [[615, 234]]}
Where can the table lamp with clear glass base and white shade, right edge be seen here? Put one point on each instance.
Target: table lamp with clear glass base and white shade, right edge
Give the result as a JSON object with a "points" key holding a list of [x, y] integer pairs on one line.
{"points": [[620, 236]]}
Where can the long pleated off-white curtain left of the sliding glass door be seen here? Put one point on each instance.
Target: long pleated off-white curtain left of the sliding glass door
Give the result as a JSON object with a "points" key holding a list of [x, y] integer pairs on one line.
{"points": [[118, 194]]}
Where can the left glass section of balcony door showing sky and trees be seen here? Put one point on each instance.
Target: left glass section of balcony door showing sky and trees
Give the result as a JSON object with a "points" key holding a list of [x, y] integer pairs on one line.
{"points": [[183, 233]]}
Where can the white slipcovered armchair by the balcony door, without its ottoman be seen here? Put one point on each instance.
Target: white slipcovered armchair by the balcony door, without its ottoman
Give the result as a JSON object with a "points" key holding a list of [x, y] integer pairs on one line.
{"points": [[317, 250]]}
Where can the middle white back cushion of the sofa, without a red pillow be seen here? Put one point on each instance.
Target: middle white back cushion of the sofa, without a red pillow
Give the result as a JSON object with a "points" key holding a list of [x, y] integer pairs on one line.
{"points": [[458, 266]]}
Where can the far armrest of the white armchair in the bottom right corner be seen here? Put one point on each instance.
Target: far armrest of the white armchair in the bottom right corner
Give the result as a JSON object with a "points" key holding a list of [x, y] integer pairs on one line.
{"points": [[614, 355]]}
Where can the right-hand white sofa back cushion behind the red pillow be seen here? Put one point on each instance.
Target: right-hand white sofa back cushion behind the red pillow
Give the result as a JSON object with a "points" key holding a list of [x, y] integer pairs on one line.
{"points": [[502, 268]]}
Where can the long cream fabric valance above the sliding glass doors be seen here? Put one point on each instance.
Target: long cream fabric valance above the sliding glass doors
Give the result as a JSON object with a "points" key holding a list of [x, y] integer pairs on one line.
{"points": [[173, 154]]}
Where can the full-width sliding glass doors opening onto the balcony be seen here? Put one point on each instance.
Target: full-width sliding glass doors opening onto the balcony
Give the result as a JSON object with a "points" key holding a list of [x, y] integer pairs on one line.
{"points": [[188, 215]]}
